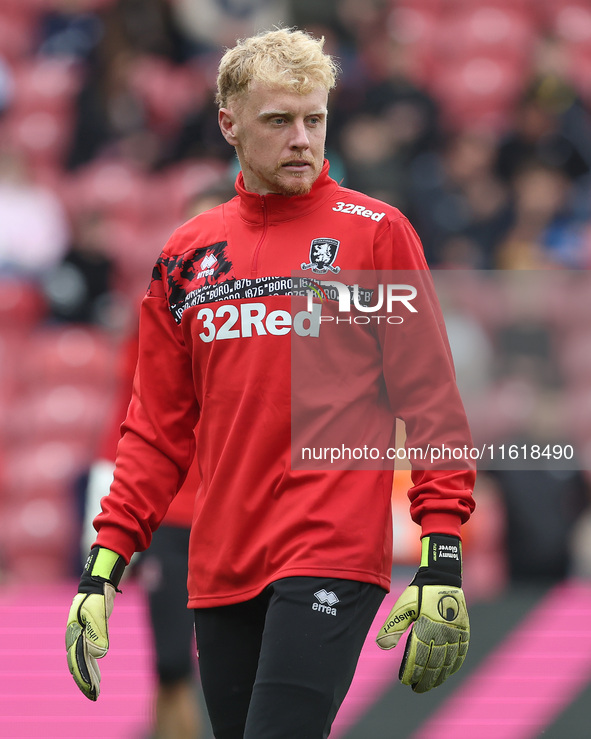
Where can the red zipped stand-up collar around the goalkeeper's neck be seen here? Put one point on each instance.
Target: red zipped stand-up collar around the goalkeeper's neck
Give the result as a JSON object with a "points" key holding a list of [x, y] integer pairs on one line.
{"points": [[273, 208]]}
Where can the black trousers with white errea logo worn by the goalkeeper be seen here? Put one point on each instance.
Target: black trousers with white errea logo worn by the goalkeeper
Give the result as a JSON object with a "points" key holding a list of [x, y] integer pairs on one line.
{"points": [[279, 666]]}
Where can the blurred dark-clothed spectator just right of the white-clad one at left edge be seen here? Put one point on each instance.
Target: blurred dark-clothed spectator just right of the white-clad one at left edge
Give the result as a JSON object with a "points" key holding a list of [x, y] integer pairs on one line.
{"points": [[80, 288]]}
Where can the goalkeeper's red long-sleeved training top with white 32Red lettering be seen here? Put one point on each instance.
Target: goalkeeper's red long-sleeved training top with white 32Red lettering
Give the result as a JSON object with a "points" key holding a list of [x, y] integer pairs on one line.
{"points": [[225, 343]]}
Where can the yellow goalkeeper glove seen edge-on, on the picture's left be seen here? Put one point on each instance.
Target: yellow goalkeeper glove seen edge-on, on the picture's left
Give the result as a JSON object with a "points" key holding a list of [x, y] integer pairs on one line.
{"points": [[87, 633]]}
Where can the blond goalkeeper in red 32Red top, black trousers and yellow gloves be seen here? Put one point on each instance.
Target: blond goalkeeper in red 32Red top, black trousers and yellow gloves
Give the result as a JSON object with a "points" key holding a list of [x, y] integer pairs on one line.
{"points": [[287, 566]]}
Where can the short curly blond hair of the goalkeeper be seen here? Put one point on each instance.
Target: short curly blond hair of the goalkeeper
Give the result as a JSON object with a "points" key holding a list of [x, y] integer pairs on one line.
{"points": [[286, 58]]}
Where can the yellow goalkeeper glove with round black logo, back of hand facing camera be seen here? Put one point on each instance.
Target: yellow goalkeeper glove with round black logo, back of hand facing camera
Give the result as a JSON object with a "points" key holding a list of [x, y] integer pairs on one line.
{"points": [[434, 604]]}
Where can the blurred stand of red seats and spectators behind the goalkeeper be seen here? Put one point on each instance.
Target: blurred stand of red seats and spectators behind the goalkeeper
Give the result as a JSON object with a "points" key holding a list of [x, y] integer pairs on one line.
{"points": [[472, 117]]}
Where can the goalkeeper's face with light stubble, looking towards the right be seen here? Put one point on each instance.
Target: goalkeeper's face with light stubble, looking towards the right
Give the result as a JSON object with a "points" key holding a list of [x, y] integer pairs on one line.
{"points": [[279, 137]]}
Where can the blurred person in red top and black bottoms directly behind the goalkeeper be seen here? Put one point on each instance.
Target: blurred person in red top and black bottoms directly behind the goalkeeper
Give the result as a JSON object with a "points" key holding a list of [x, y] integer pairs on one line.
{"points": [[163, 568]]}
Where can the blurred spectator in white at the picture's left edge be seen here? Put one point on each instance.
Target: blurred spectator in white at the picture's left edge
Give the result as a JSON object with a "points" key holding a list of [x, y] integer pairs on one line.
{"points": [[34, 229]]}
